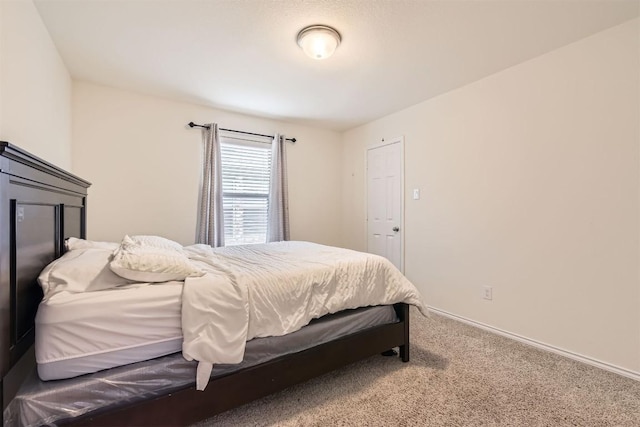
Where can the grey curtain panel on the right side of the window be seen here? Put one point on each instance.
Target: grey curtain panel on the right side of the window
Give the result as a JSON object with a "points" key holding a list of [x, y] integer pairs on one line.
{"points": [[278, 216]]}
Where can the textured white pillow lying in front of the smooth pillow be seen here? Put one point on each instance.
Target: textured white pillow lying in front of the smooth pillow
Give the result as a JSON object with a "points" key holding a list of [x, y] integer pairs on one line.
{"points": [[152, 264]]}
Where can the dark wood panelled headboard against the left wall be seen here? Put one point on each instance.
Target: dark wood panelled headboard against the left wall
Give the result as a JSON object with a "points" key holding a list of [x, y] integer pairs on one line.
{"points": [[41, 205]]}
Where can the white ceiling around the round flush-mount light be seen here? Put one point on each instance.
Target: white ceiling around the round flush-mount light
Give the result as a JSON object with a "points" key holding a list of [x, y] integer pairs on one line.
{"points": [[241, 55]]}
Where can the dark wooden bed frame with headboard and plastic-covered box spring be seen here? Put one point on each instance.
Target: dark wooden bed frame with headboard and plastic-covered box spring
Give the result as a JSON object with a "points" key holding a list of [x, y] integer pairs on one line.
{"points": [[41, 207]]}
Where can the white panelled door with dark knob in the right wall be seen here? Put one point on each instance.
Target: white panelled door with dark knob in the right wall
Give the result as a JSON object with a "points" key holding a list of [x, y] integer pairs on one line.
{"points": [[384, 201]]}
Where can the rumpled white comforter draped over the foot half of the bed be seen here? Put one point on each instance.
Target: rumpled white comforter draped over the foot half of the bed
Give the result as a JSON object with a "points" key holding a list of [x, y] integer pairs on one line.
{"points": [[274, 289]]}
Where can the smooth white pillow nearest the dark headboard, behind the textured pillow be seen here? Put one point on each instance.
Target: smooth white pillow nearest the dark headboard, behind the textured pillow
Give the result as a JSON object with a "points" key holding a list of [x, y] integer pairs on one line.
{"points": [[80, 270]]}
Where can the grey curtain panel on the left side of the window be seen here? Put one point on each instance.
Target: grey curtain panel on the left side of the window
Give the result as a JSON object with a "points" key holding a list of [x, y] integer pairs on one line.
{"points": [[210, 210]]}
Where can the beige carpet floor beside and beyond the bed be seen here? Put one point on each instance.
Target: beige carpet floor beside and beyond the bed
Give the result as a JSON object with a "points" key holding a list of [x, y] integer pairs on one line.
{"points": [[458, 376]]}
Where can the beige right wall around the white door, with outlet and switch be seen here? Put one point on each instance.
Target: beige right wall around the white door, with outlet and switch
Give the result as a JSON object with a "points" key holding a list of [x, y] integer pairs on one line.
{"points": [[530, 184]]}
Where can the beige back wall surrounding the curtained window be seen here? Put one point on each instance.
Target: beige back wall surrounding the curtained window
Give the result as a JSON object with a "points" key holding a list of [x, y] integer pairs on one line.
{"points": [[144, 163]]}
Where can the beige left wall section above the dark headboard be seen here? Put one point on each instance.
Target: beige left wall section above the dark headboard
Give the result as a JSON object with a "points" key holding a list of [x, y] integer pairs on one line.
{"points": [[35, 86]]}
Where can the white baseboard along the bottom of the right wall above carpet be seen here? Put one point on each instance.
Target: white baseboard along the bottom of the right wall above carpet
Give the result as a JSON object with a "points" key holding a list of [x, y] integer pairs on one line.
{"points": [[571, 355]]}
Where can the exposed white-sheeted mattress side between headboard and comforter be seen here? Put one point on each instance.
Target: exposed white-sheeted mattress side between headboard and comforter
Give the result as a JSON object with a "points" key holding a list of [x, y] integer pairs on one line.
{"points": [[86, 332]]}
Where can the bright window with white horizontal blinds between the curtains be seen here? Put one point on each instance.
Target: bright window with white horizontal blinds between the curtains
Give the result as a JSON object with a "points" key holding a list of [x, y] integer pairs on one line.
{"points": [[246, 168]]}
